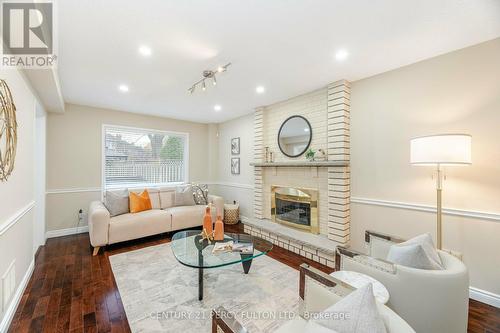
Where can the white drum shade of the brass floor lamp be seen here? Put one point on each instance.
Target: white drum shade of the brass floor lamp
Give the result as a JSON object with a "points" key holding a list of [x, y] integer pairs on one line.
{"points": [[445, 149]]}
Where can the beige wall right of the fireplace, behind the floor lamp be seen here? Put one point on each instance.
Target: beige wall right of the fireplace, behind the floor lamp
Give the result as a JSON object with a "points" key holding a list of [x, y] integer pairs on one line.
{"points": [[456, 92]]}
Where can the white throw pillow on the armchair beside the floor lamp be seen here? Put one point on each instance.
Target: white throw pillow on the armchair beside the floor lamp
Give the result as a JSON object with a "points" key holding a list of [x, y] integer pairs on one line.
{"points": [[418, 252]]}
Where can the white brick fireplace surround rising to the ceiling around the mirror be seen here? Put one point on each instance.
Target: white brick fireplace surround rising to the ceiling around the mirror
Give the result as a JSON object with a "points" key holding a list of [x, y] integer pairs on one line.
{"points": [[327, 110]]}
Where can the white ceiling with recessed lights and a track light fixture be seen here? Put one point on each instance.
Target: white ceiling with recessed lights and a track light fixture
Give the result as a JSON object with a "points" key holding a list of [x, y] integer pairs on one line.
{"points": [[287, 46]]}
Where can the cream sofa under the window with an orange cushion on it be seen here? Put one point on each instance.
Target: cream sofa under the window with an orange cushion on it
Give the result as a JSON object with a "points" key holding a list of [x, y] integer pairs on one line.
{"points": [[164, 217]]}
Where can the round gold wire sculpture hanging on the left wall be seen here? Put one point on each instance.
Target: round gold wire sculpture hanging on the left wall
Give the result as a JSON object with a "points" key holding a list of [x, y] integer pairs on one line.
{"points": [[8, 131]]}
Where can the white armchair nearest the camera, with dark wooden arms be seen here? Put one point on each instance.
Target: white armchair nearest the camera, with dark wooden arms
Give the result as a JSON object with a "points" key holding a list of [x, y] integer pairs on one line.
{"points": [[317, 292]]}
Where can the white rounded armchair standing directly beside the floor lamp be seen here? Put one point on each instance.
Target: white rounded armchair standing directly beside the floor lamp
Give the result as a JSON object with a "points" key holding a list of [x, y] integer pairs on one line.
{"points": [[431, 301]]}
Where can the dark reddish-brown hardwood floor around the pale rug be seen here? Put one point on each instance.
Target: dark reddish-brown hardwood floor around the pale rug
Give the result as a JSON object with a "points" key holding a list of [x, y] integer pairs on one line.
{"points": [[71, 291]]}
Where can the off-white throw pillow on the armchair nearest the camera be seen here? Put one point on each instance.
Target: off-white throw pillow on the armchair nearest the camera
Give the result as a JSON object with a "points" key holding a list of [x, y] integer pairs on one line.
{"points": [[355, 313]]}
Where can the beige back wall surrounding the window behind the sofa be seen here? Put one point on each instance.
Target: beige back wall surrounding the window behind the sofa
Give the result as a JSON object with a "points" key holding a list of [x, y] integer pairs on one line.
{"points": [[74, 156]]}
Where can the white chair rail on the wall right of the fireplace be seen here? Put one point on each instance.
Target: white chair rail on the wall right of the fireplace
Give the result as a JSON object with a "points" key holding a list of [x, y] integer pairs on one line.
{"points": [[427, 208]]}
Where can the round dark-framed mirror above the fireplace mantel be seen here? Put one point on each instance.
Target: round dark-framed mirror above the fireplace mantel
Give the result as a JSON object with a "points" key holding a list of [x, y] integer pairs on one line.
{"points": [[294, 136]]}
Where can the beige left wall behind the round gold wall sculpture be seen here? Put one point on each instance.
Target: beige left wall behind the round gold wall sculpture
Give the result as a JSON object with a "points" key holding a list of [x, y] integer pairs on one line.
{"points": [[17, 193]]}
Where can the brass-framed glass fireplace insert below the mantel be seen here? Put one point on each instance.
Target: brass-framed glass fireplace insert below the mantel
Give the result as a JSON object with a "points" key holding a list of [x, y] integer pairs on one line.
{"points": [[295, 207]]}
